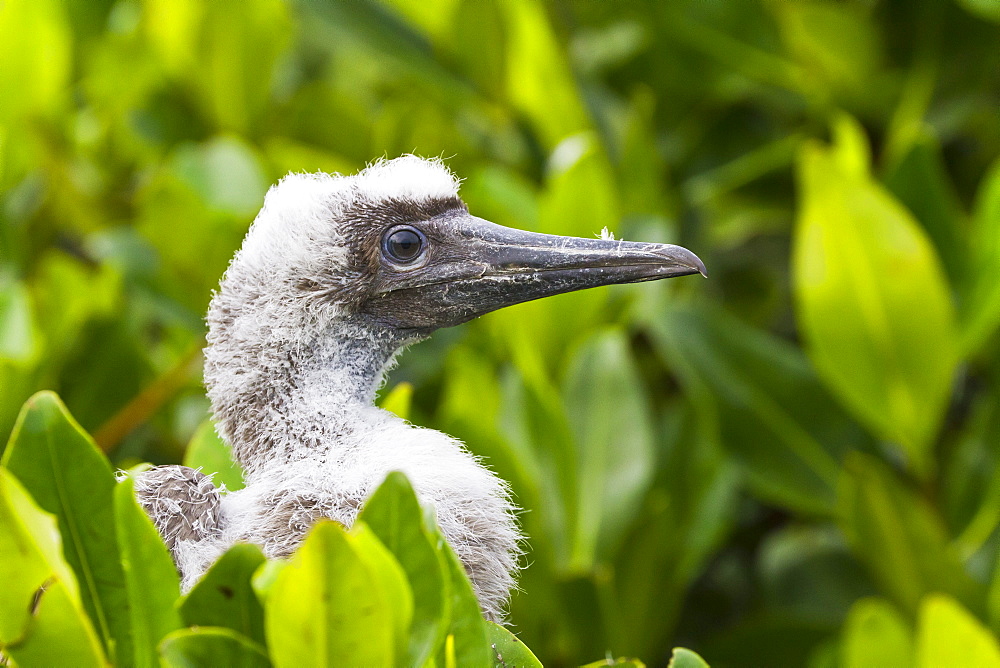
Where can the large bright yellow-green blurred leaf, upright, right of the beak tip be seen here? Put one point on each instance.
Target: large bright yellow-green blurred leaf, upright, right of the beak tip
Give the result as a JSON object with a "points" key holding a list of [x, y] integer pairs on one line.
{"points": [[873, 302]]}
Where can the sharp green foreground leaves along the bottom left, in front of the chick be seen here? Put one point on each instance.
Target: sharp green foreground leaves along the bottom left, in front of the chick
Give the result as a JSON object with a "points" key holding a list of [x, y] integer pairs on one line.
{"points": [[91, 582]]}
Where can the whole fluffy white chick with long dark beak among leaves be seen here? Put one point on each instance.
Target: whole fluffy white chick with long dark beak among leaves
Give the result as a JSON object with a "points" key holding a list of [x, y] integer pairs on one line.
{"points": [[337, 275]]}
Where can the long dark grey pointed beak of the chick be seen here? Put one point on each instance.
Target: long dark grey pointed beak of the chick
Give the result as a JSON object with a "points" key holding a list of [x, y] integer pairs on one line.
{"points": [[474, 266]]}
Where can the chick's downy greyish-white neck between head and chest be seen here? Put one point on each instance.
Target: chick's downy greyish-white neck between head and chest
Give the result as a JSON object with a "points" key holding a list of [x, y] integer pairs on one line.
{"points": [[299, 395]]}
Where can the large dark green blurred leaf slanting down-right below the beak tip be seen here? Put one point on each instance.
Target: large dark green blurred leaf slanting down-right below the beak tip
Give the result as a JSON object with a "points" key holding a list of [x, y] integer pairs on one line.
{"points": [[760, 390]]}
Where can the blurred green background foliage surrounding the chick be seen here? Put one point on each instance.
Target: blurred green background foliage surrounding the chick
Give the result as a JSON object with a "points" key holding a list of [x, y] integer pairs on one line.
{"points": [[796, 462]]}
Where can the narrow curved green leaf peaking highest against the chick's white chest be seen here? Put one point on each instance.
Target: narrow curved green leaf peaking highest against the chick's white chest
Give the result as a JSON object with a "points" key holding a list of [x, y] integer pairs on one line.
{"points": [[394, 515]]}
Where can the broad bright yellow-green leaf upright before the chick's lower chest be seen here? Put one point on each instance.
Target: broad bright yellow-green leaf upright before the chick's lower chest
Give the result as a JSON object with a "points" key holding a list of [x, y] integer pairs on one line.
{"points": [[330, 607]]}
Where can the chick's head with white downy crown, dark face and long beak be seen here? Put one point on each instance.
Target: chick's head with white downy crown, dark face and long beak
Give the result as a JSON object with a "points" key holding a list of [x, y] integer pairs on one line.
{"points": [[395, 247]]}
